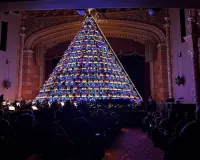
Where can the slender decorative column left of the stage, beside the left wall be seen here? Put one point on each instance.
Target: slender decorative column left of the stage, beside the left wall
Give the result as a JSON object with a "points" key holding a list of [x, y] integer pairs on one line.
{"points": [[20, 76]]}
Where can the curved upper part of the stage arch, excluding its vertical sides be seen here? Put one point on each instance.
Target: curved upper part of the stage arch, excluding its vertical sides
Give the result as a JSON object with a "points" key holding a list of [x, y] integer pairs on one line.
{"points": [[139, 32]]}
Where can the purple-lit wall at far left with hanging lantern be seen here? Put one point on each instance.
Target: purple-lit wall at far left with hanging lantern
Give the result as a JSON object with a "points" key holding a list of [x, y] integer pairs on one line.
{"points": [[11, 54]]}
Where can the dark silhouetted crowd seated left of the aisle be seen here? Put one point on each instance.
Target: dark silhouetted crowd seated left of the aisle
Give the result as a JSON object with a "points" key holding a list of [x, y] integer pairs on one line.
{"points": [[71, 132]]}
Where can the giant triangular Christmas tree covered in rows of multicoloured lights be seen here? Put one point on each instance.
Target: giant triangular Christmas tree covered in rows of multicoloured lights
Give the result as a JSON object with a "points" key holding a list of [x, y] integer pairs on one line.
{"points": [[89, 70]]}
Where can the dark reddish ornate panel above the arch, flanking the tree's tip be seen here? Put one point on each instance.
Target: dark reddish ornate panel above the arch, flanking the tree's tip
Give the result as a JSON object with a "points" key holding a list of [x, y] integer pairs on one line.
{"points": [[38, 20]]}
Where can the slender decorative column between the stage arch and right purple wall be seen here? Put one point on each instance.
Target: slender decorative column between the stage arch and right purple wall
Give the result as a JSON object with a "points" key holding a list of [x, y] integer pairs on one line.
{"points": [[168, 50]]}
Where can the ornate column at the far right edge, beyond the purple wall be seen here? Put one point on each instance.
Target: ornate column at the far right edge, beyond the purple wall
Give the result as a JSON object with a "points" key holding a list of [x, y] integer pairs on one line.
{"points": [[192, 40]]}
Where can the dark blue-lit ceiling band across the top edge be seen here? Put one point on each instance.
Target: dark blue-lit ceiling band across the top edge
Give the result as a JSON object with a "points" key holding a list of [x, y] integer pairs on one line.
{"points": [[75, 4]]}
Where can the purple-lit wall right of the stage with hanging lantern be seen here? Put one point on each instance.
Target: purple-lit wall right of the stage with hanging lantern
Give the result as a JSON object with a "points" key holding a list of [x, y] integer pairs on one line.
{"points": [[183, 64]]}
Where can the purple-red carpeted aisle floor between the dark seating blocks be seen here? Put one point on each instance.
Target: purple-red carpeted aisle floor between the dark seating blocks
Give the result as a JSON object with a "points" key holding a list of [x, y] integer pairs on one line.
{"points": [[133, 144]]}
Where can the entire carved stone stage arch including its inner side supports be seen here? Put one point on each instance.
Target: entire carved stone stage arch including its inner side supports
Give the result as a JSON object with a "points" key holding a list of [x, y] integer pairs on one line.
{"points": [[47, 38]]}
